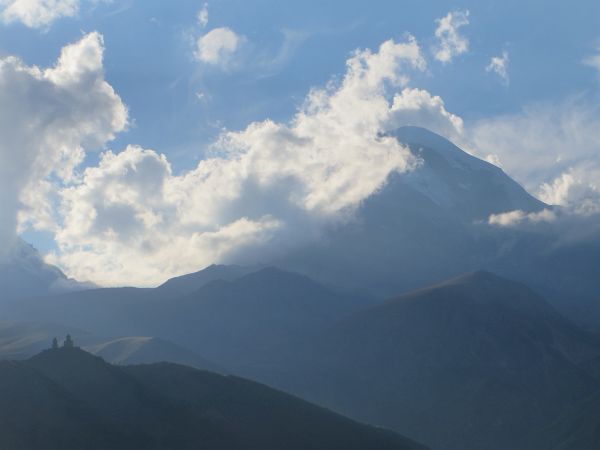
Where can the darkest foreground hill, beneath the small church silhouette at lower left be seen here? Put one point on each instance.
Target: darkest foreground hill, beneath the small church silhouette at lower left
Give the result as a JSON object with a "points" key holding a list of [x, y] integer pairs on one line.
{"points": [[68, 399]]}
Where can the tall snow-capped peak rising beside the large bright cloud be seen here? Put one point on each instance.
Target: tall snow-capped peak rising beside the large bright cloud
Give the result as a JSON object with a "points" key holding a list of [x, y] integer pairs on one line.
{"points": [[424, 225]]}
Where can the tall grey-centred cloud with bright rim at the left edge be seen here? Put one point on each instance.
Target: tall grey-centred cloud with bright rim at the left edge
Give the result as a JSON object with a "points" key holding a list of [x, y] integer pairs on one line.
{"points": [[47, 117]]}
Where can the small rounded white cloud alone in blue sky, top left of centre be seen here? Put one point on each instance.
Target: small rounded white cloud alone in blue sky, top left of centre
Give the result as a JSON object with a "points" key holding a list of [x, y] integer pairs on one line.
{"points": [[218, 46]]}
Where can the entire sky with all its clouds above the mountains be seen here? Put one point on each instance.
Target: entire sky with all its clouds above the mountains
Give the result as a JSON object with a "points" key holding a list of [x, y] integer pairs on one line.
{"points": [[146, 139]]}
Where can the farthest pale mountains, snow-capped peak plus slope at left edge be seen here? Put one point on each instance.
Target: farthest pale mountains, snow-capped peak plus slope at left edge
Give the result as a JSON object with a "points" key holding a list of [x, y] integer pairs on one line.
{"points": [[423, 226]]}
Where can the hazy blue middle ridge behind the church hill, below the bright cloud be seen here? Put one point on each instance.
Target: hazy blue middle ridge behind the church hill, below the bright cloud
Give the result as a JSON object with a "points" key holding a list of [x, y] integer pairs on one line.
{"points": [[246, 321]]}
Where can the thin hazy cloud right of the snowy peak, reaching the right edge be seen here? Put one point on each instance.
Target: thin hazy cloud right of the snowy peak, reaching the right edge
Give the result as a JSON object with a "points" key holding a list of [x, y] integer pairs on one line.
{"points": [[553, 149]]}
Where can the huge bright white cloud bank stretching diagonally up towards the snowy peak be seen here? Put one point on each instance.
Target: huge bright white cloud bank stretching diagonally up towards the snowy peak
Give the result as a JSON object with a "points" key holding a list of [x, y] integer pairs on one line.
{"points": [[131, 220]]}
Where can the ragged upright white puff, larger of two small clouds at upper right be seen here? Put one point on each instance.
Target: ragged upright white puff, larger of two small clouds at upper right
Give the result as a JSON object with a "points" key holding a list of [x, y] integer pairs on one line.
{"points": [[450, 42]]}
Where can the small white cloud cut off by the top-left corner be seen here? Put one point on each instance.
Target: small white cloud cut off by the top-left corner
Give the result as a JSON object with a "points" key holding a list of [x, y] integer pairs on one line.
{"points": [[37, 13]]}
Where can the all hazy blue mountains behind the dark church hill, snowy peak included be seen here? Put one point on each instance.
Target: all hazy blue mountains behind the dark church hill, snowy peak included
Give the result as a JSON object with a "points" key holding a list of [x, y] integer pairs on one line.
{"points": [[362, 322]]}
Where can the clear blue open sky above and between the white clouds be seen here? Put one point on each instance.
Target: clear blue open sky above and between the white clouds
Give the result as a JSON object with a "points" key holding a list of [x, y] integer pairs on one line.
{"points": [[149, 59]]}
